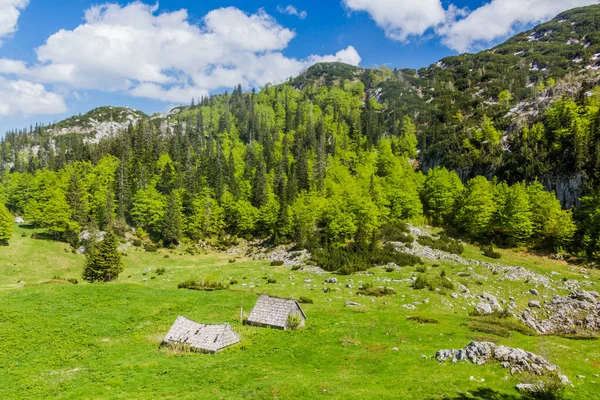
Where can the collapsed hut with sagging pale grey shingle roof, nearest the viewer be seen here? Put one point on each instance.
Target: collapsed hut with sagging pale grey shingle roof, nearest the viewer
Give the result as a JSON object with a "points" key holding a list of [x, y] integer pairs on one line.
{"points": [[200, 337]]}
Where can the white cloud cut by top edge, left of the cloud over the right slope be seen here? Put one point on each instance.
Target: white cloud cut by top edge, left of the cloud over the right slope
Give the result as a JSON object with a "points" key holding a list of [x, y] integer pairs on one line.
{"points": [[401, 18]]}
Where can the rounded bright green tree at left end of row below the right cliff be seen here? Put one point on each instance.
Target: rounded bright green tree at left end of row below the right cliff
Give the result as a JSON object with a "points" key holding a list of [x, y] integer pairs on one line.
{"points": [[441, 191]]}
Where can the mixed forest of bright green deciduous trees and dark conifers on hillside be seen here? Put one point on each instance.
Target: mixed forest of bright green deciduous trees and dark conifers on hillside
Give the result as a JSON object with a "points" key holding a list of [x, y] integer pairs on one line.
{"points": [[317, 167]]}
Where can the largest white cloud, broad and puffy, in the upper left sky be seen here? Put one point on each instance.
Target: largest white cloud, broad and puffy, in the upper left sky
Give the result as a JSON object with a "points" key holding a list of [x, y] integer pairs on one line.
{"points": [[140, 51]]}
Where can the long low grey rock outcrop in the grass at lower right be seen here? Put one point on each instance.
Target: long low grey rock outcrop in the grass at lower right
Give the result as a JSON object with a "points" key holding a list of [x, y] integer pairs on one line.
{"points": [[518, 360]]}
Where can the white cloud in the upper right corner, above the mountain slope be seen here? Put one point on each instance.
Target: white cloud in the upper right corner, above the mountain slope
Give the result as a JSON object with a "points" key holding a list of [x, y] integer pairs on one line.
{"points": [[500, 18]]}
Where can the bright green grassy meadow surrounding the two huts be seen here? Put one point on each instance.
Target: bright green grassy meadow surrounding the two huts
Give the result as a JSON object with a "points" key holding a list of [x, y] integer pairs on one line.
{"points": [[61, 340]]}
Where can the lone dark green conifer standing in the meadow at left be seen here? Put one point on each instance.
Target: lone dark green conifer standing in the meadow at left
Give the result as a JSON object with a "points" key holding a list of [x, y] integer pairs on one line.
{"points": [[103, 263]]}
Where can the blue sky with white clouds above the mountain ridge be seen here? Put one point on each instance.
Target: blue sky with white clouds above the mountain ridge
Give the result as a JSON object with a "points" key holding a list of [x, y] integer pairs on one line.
{"points": [[59, 58]]}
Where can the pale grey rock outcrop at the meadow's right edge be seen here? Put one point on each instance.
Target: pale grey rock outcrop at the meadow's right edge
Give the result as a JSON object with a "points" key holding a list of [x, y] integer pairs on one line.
{"points": [[578, 312]]}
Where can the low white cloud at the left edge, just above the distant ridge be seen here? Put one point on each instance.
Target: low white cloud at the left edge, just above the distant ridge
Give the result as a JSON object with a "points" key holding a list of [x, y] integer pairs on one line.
{"points": [[19, 97]]}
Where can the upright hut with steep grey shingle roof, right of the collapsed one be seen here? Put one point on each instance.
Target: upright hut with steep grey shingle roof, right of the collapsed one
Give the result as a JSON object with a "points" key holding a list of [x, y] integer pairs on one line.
{"points": [[274, 312]]}
